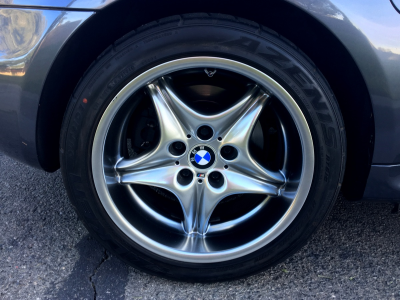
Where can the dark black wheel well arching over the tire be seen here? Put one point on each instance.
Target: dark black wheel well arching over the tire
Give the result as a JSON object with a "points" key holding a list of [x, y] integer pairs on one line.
{"points": [[315, 40]]}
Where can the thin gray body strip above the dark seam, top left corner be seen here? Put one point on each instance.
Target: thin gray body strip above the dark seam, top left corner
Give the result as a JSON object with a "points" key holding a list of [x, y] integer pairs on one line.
{"points": [[77, 4]]}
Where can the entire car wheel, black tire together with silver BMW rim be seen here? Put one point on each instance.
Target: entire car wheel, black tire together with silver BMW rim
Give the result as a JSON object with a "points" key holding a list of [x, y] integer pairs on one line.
{"points": [[202, 148]]}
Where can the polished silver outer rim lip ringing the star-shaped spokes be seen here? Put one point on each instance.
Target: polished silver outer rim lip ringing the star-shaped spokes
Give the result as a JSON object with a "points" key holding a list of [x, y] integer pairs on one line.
{"points": [[202, 62]]}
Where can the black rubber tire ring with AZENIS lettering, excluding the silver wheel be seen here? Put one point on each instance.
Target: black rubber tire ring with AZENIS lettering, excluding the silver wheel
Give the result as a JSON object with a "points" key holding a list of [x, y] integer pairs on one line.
{"points": [[194, 35]]}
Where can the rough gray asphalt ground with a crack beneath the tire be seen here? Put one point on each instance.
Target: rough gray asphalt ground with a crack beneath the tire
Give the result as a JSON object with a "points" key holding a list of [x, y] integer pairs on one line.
{"points": [[46, 253]]}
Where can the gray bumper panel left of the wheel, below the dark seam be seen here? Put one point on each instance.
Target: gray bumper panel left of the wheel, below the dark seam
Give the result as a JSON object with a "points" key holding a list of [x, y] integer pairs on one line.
{"points": [[29, 42]]}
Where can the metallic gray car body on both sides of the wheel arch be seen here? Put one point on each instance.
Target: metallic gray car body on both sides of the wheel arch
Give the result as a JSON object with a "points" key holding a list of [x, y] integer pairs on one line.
{"points": [[33, 33]]}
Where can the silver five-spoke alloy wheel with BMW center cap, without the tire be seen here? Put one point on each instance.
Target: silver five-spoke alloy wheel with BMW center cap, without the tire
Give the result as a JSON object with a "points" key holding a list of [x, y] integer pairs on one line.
{"points": [[203, 163]]}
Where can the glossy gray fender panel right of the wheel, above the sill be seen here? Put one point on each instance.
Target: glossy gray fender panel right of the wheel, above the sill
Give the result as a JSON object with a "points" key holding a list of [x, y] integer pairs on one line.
{"points": [[371, 33]]}
